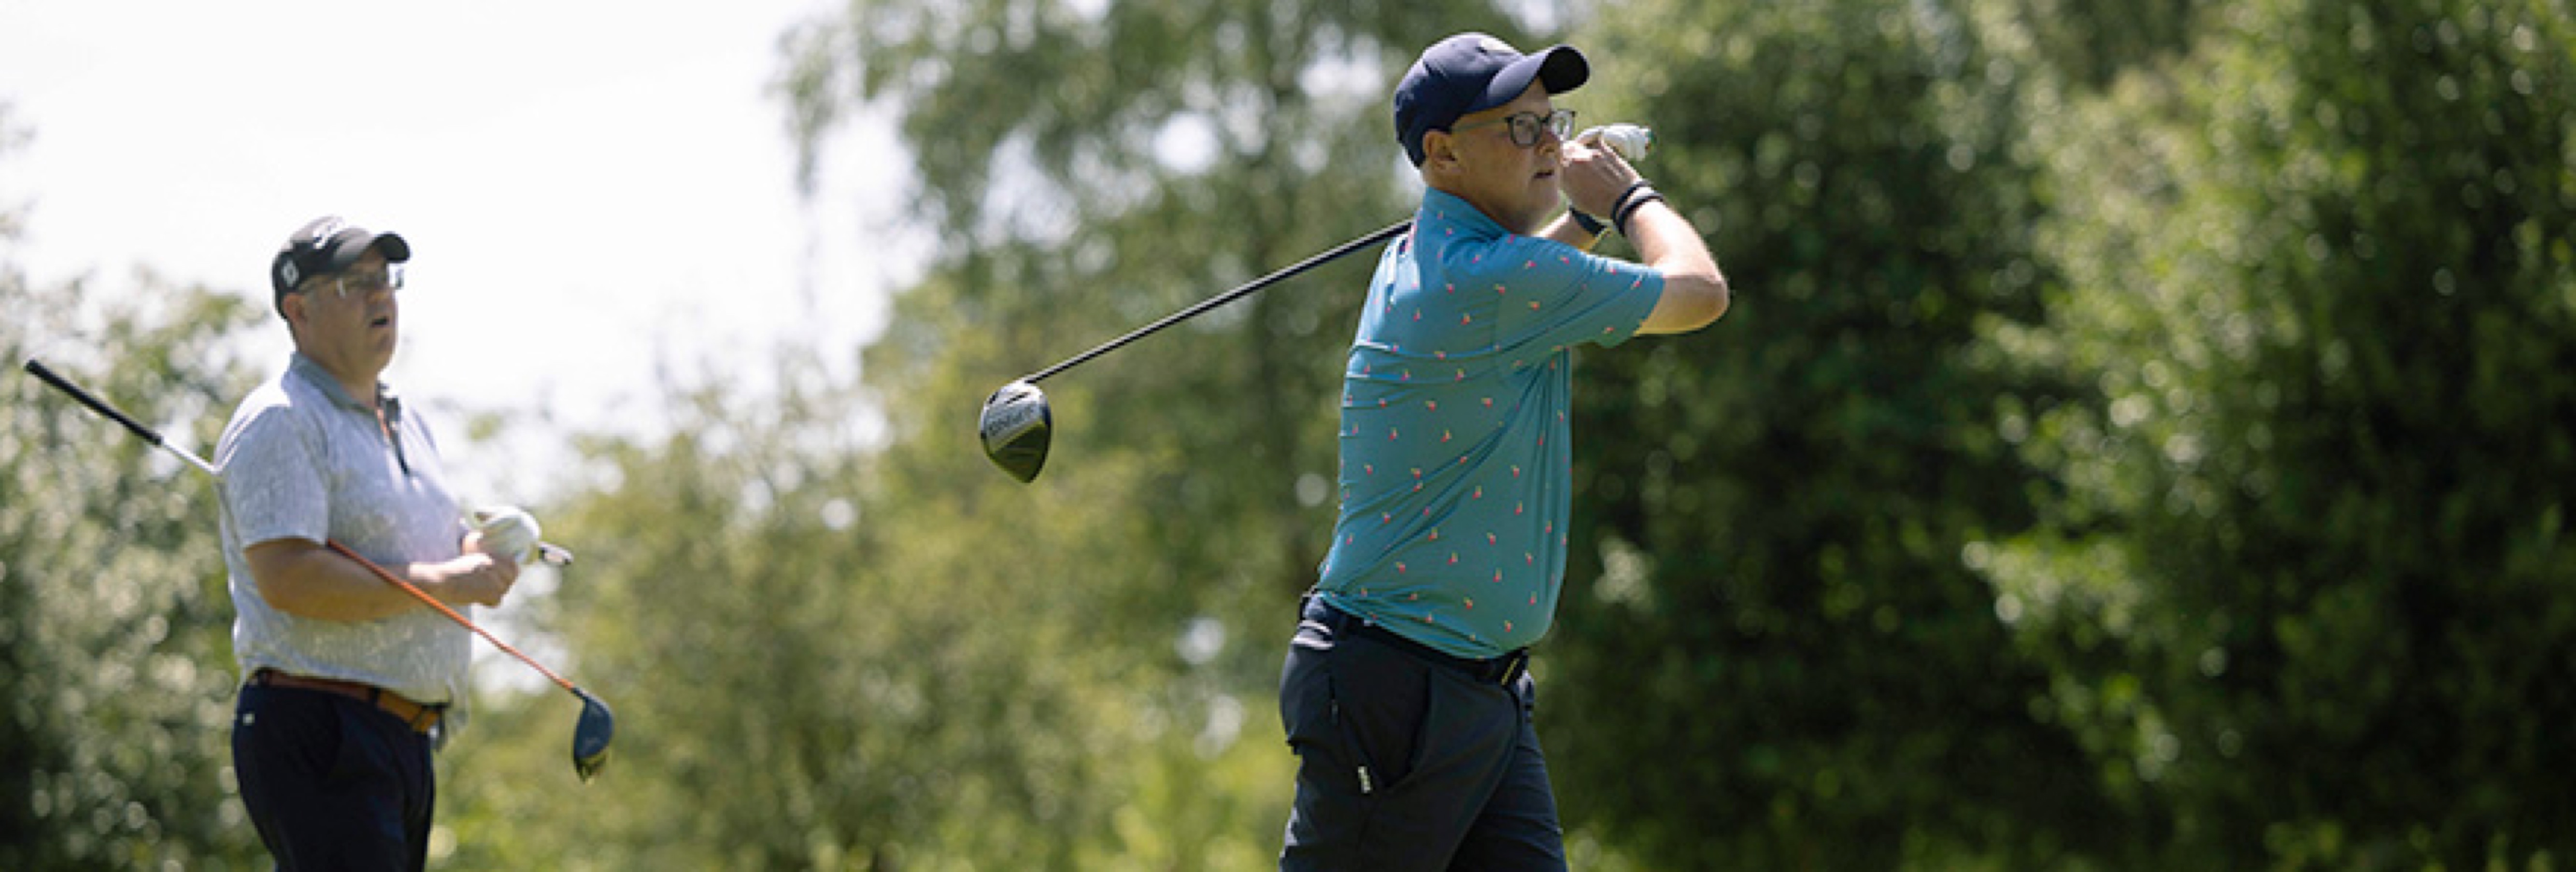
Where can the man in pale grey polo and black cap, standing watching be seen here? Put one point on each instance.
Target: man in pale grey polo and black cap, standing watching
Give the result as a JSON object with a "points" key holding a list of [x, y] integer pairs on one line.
{"points": [[346, 675]]}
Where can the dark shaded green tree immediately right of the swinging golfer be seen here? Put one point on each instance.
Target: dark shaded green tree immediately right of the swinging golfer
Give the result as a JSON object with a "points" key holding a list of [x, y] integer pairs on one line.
{"points": [[1776, 657]]}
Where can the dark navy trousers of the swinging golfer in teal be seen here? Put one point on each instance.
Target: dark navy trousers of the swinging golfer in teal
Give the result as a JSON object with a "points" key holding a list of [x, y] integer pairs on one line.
{"points": [[1408, 763]]}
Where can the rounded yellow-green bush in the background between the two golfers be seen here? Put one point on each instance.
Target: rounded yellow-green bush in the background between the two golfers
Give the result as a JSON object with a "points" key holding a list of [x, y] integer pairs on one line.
{"points": [[831, 655]]}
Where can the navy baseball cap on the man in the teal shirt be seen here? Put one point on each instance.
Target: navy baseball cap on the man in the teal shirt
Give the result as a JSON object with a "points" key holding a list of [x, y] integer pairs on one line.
{"points": [[1472, 73]]}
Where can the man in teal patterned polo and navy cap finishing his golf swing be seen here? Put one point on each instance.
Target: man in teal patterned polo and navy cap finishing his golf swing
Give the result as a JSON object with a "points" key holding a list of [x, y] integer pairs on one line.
{"points": [[1405, 693]]}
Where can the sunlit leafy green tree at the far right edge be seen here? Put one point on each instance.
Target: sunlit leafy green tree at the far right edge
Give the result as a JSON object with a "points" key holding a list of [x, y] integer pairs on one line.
{"points": [[2302, 567]]}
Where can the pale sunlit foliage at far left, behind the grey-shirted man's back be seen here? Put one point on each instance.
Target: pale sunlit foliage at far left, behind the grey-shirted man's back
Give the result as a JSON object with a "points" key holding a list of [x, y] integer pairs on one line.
{"points": [[115, 624]]}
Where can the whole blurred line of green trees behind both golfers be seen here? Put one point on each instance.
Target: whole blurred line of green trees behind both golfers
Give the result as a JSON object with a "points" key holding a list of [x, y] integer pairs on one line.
{"points": [[2139, 441]]}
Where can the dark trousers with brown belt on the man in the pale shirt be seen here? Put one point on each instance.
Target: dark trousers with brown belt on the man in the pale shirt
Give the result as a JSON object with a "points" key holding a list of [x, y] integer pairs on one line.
{"points": [[334, 783]]}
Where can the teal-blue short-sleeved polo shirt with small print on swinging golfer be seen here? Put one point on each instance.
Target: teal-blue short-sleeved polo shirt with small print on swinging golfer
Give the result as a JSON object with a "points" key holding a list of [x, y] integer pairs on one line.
{"points": [[1457, 462]]}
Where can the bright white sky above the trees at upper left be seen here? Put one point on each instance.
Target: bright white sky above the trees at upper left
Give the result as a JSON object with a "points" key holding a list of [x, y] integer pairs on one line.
{"points": [[594, 192]]}
